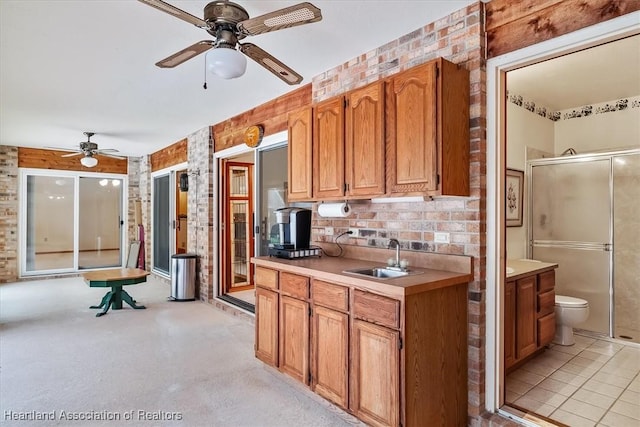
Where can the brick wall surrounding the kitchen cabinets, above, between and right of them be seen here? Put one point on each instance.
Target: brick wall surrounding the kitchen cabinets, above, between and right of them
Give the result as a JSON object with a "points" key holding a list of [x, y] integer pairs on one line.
{"points": [[459, 38]]}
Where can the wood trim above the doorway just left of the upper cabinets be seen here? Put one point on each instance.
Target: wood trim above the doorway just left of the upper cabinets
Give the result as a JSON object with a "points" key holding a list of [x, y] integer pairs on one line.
{"points": [[271, 115]]}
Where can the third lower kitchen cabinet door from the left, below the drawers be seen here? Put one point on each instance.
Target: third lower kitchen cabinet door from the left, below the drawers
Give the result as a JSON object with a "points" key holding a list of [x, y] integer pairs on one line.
{"points": [[330, 355]]}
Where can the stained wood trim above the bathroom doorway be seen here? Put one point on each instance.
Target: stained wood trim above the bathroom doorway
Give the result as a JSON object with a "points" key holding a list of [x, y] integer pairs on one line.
{"points": [[514, 25]]}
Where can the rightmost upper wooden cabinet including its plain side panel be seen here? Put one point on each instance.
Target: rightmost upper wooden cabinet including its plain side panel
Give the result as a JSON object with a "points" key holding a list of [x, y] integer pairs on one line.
{"points": [[427, 130]]}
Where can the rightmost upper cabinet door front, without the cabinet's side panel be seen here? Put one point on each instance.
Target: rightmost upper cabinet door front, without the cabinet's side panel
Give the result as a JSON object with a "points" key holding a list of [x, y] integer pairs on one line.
{"points": [[411, 131]]}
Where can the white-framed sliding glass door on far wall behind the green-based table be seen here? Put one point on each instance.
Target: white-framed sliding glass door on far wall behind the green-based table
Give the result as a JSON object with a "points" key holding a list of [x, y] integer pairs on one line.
{"points": [[70, 222]]}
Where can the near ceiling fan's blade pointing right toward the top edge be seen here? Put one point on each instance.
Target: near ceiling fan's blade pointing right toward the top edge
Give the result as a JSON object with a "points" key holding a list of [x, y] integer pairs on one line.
{"points": [[303, 13]]}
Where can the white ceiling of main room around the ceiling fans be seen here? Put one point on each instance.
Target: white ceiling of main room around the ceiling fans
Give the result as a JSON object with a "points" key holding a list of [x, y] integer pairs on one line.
{"points": [[72, 66]]}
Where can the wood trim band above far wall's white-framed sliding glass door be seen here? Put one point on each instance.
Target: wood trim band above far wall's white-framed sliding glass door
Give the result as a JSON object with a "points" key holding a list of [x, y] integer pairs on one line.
{"points": [[52, 159]]}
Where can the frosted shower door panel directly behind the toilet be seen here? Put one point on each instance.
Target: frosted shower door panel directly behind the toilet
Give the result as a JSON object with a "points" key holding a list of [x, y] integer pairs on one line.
{"points": [[571, 210]]}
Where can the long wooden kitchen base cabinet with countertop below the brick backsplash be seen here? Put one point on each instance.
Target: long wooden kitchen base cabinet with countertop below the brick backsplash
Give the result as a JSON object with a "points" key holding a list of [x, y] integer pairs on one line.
{"points": [[392, 351]]}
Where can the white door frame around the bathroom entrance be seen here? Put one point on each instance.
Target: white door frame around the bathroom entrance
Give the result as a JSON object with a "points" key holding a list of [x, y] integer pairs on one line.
{"points": [[497, 67]]}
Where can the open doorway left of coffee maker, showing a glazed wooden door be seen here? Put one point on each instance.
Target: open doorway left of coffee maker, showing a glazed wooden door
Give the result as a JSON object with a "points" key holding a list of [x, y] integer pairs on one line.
{"points": [[252, 183]]}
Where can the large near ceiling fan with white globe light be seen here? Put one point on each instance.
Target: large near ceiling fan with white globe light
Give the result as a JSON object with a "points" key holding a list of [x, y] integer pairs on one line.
{"points": [[229, 22]]}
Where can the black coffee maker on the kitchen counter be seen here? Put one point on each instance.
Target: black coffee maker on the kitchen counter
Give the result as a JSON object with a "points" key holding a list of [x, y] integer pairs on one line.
{"points": [[292, 229]]}
